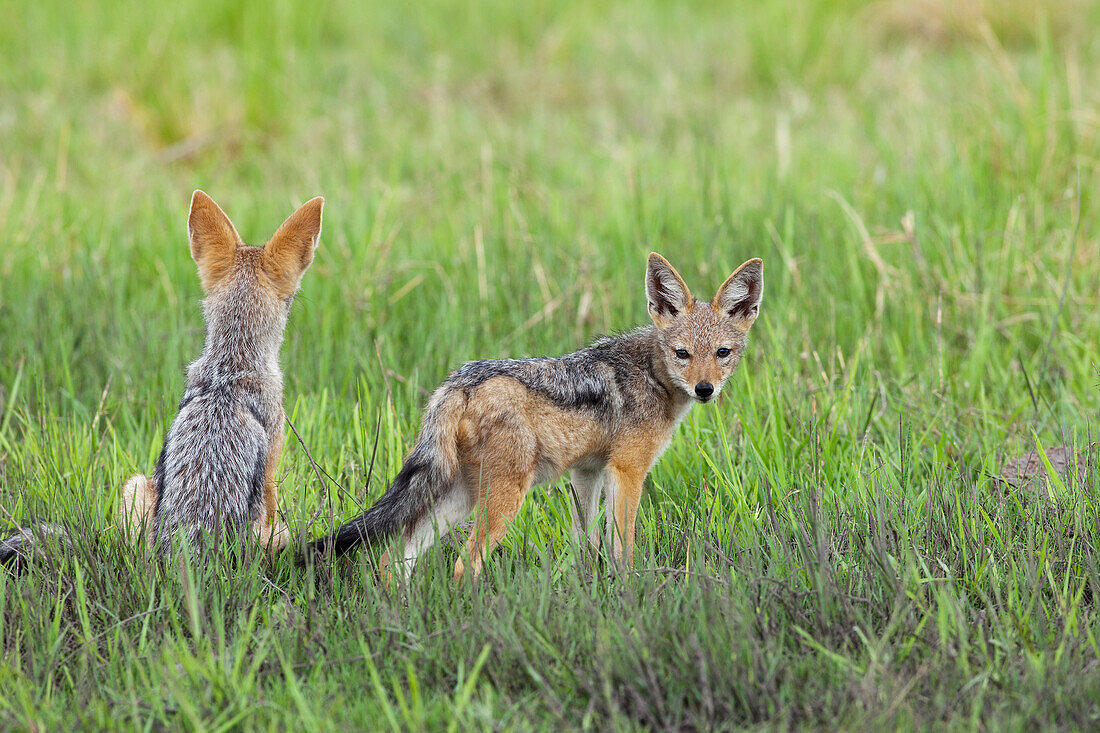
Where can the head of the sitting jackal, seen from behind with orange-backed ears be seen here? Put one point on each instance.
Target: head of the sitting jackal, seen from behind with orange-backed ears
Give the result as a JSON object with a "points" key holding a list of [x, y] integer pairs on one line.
{"points": [[250, 289]]}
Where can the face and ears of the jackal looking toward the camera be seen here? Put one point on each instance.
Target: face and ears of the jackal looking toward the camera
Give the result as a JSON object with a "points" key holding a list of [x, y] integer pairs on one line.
{"points": [[700, 343]]}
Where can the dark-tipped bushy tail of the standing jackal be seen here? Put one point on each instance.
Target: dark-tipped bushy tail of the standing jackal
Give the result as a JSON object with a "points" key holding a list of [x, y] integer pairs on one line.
{"points": [[428, 472]]}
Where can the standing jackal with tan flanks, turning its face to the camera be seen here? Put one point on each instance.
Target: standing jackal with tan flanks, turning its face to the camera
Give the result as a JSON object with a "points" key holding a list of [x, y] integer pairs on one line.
{"points": [[606, 414]]}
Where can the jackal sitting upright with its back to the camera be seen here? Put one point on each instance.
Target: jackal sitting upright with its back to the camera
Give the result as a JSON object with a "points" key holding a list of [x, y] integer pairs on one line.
{"points": [[216, 473]]}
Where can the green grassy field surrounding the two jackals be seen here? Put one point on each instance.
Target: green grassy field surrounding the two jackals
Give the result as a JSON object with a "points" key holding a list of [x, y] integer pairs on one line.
{"points": [[828, 548]]}
